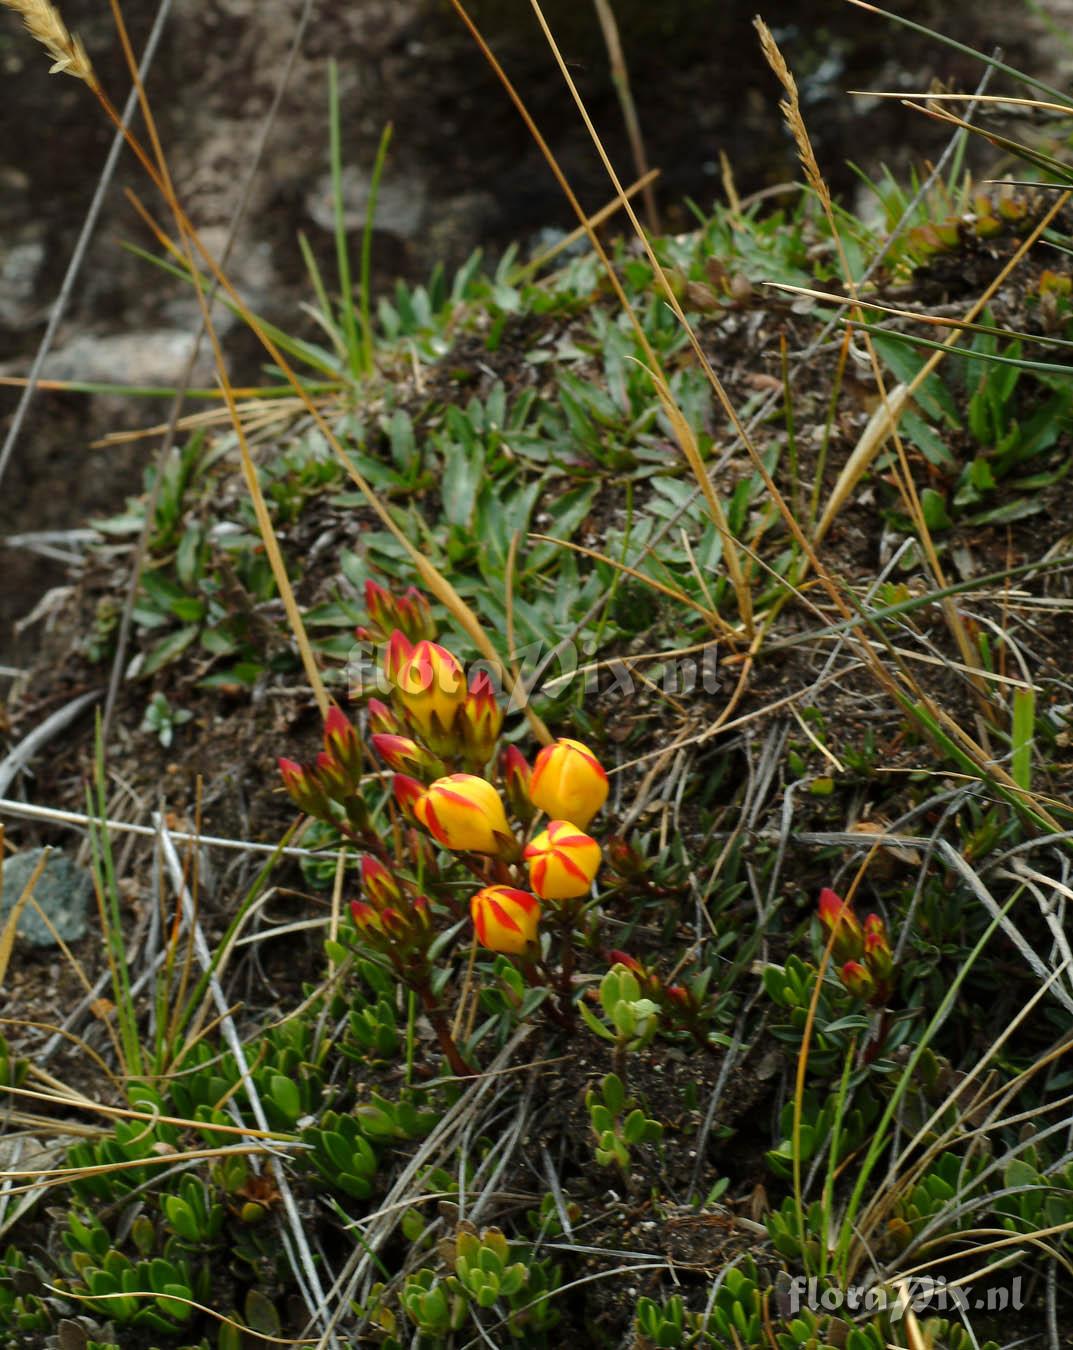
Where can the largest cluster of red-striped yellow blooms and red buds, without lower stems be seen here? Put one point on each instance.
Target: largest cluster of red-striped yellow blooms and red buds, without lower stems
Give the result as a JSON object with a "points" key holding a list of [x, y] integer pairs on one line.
{"points": [[438, 735]]}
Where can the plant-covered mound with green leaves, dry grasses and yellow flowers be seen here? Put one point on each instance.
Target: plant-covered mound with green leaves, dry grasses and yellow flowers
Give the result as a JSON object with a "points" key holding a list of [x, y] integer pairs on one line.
{"points": [[603, 728]]}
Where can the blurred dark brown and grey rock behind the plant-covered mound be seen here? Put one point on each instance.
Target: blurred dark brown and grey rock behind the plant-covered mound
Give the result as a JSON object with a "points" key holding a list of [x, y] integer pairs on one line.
{"points": [[462, 175]]}
